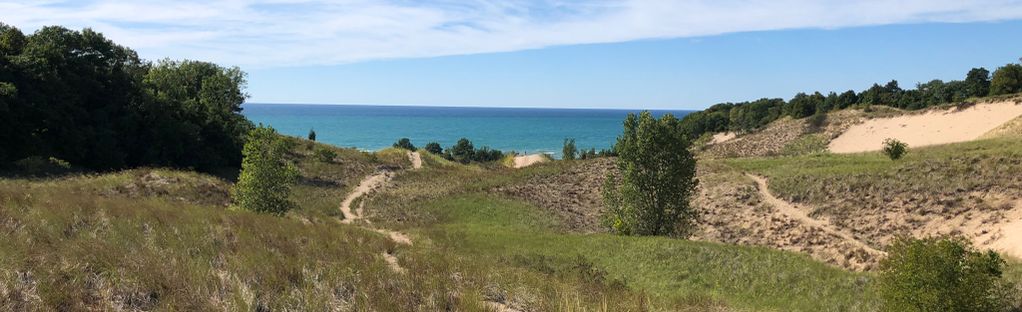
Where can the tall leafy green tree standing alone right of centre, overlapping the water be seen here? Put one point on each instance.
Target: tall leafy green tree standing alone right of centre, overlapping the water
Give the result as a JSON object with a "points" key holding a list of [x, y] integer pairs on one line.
{"points": [[657, 180]]}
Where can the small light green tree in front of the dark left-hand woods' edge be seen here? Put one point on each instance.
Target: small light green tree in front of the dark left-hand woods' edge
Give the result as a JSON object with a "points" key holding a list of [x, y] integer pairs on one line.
{"points": [[266, 181]]}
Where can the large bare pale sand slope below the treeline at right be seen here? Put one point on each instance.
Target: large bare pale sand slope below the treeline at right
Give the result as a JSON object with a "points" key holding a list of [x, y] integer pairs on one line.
{"points": [[937, 127]]}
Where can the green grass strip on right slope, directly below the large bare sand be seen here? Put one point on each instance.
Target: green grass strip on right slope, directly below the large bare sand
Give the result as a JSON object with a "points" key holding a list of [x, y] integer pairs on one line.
{"points": [[993, 165]]}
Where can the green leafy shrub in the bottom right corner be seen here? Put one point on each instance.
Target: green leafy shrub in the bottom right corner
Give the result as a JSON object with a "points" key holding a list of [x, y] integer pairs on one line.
{"points": [[942, 275]]}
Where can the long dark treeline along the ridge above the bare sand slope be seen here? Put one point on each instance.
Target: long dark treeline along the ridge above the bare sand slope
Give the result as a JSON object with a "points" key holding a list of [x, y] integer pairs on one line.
{"points": [[754, 115]]}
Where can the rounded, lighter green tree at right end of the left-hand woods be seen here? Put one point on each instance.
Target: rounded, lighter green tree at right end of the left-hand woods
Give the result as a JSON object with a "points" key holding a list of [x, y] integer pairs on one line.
{"points": [[195, 109]]}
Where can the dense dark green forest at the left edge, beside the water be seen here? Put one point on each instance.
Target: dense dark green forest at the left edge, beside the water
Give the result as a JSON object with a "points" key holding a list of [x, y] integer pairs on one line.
{"points": [[77, 97]]}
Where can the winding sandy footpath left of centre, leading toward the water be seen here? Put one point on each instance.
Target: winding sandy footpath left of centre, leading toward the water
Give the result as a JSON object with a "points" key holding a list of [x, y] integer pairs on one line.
{"points": [[377, 183]]}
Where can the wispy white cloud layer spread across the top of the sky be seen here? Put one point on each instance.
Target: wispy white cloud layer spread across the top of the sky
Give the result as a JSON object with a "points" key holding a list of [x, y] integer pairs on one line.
{"points": [[281, 33]]}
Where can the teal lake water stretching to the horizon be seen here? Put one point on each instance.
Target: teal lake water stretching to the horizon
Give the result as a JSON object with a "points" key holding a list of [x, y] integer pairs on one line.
{"points": [[373, 127]]}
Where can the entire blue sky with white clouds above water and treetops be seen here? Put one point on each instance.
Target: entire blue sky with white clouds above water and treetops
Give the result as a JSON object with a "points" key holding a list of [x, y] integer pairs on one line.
{"points": [[564, 54]]}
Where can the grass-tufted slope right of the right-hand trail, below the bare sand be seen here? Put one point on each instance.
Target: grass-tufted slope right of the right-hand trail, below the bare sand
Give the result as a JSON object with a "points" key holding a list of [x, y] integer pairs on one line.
{"points": [[932, 185]]}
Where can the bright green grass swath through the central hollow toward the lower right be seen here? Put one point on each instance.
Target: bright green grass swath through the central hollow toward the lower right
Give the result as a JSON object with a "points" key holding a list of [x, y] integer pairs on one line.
{"points": [[453, 209]]}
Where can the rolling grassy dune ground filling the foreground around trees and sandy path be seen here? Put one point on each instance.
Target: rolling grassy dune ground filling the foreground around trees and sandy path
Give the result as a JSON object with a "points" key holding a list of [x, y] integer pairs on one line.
{"points": [[155, 239]]}
